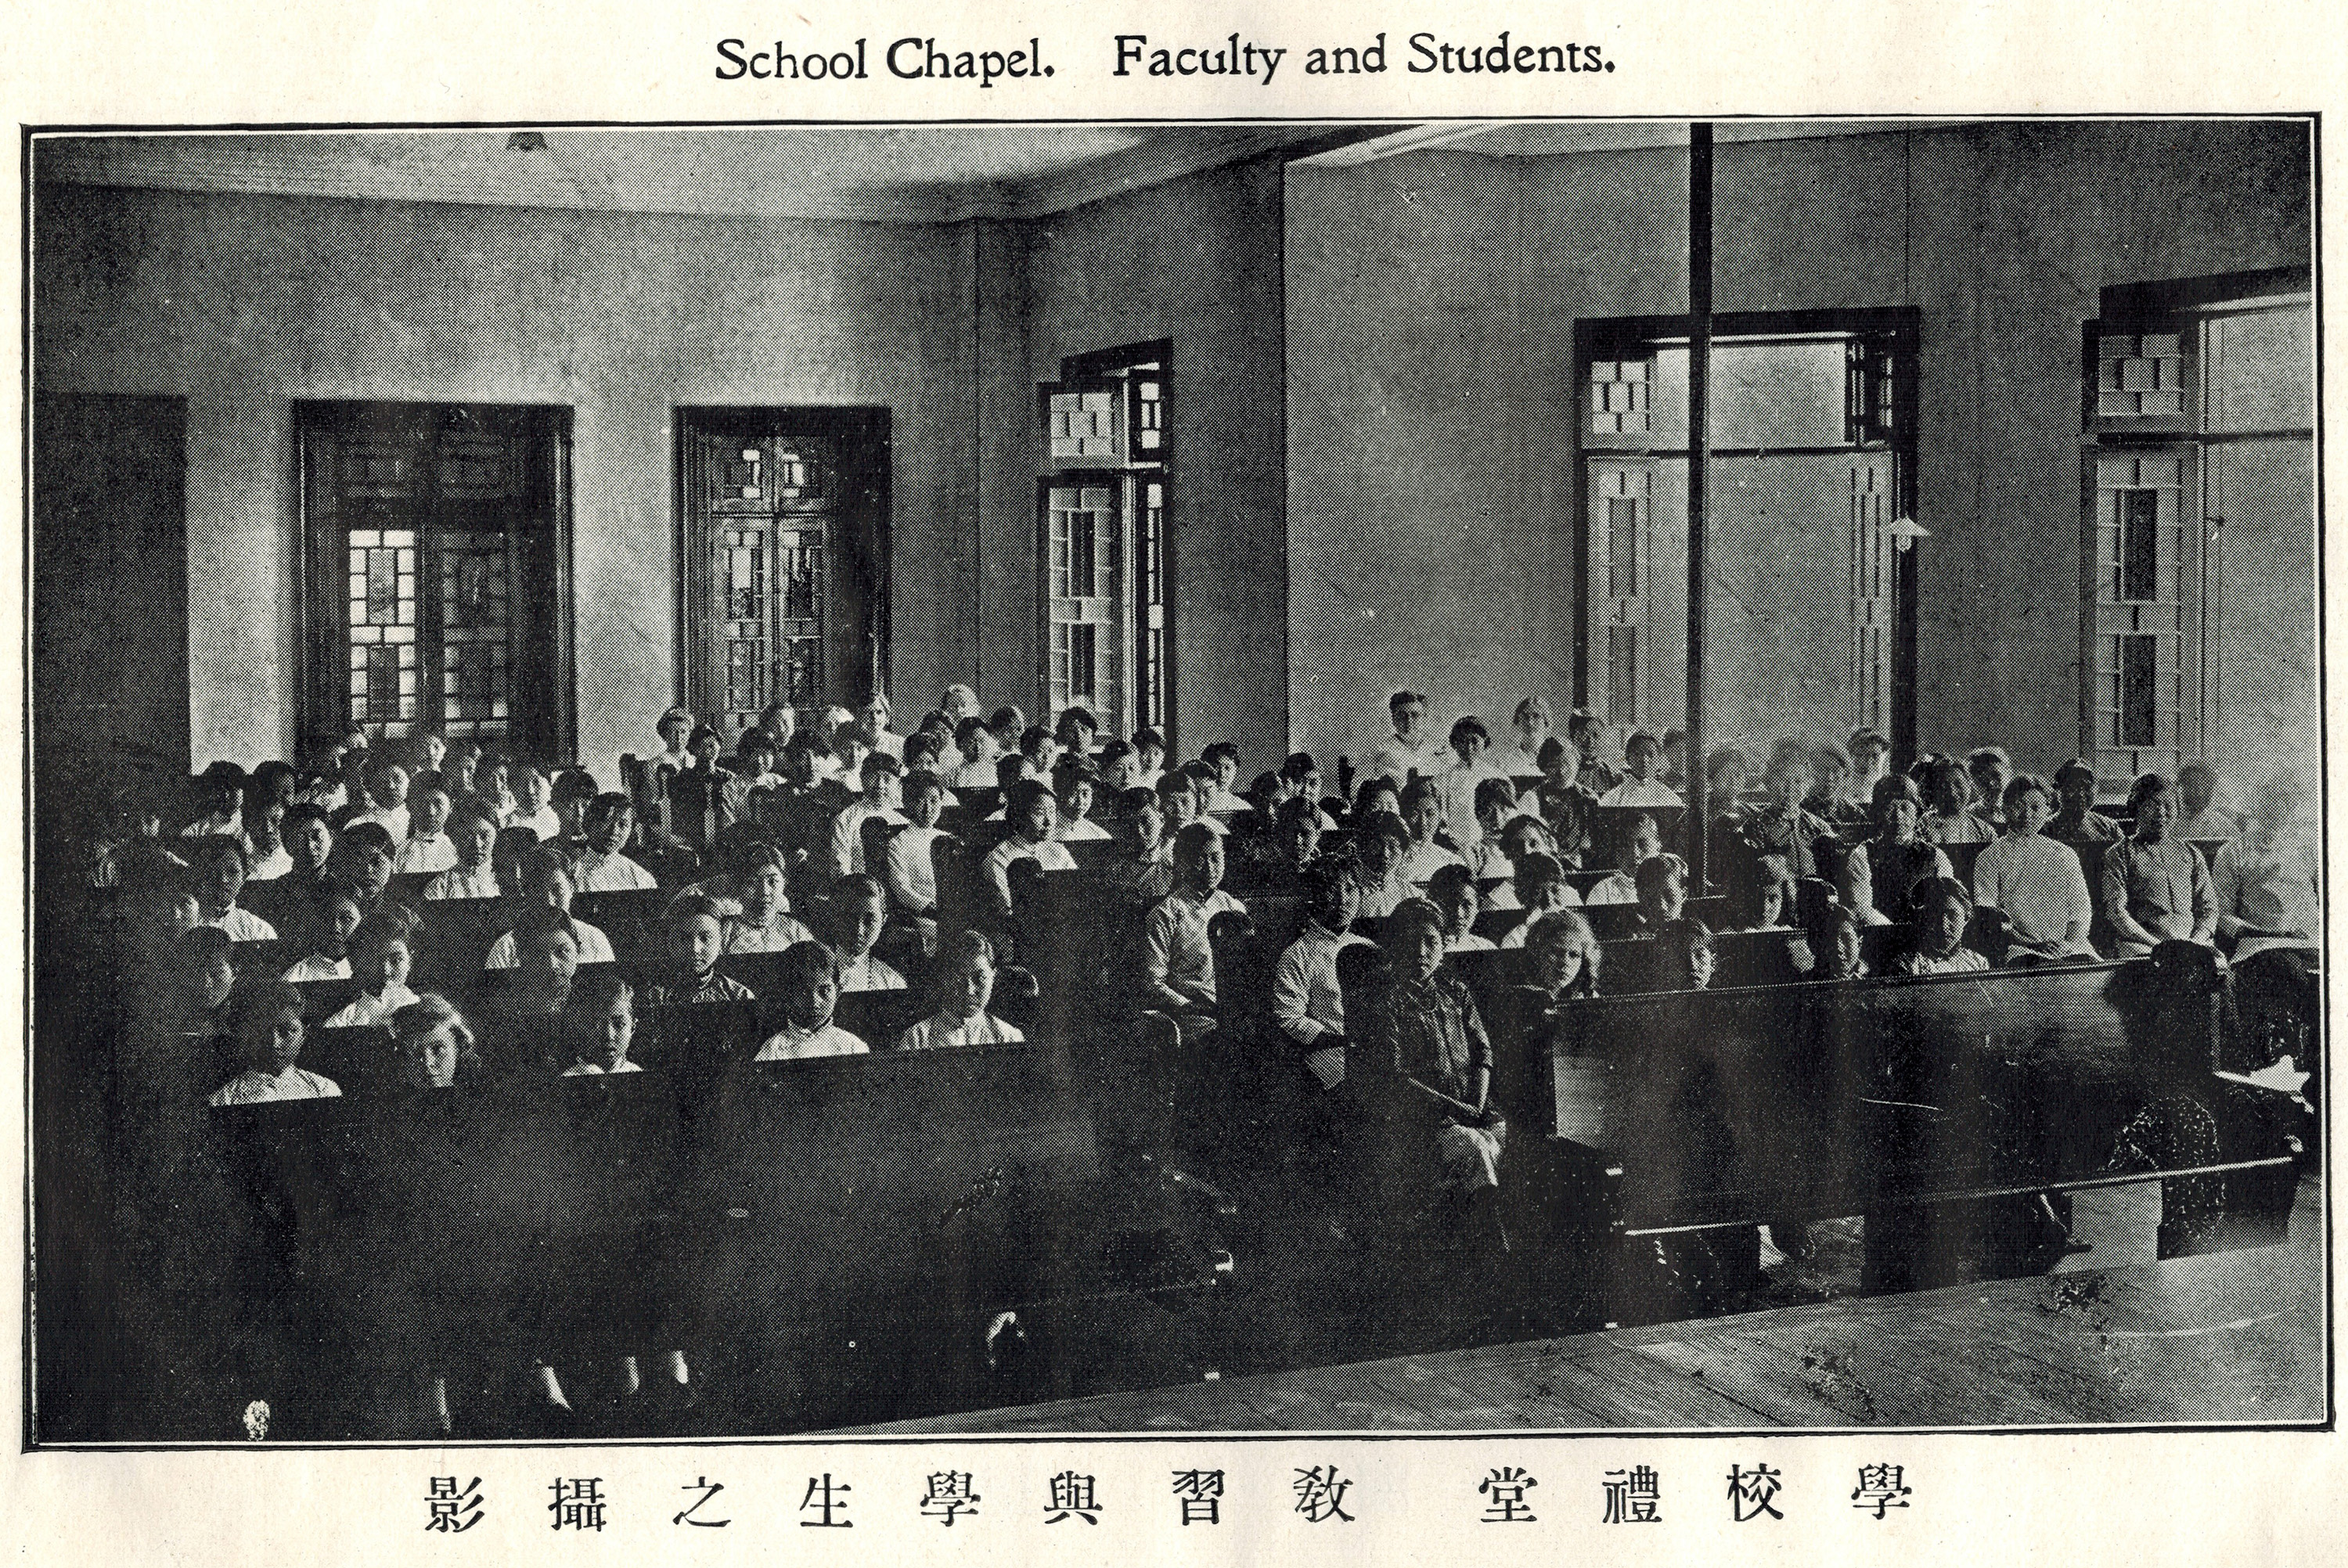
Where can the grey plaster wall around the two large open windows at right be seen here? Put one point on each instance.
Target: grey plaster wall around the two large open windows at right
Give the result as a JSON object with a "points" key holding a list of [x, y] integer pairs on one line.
{"points": [[1433, 405]]}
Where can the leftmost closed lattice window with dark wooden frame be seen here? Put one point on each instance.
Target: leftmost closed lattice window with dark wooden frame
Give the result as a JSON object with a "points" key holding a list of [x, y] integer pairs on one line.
{"points": [[436, 588]]}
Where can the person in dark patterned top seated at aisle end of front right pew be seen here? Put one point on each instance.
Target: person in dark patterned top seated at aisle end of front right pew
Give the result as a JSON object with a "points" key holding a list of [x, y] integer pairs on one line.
{"points": [[1419, 1053]]}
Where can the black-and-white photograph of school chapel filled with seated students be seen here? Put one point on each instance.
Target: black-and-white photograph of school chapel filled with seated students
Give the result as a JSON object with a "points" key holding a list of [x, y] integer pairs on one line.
{"points": [[1173, 778]]}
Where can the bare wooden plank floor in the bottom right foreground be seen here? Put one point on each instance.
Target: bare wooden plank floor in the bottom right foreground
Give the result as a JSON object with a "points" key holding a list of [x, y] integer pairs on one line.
{"points": [[2222, 1339]]}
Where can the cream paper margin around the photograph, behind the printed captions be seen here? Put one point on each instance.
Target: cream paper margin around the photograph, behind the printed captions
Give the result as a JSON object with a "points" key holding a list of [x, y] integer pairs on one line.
{"points": [[2138, 1499]]}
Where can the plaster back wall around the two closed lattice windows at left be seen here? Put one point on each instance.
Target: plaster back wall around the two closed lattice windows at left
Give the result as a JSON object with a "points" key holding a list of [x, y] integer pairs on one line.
{"points": [[245, 304]]}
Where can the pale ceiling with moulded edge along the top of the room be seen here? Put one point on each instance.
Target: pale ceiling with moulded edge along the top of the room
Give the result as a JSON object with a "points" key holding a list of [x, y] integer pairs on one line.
{"points": [[879, 175]]}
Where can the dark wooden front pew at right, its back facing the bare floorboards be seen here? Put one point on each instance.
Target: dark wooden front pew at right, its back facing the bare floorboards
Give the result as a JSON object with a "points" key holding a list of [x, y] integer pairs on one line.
{"points": [[1701, 1111]]}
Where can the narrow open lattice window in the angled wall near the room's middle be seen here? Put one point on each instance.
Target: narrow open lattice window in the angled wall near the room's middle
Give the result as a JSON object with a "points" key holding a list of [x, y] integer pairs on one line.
{"points": [[1102, 536]]}
